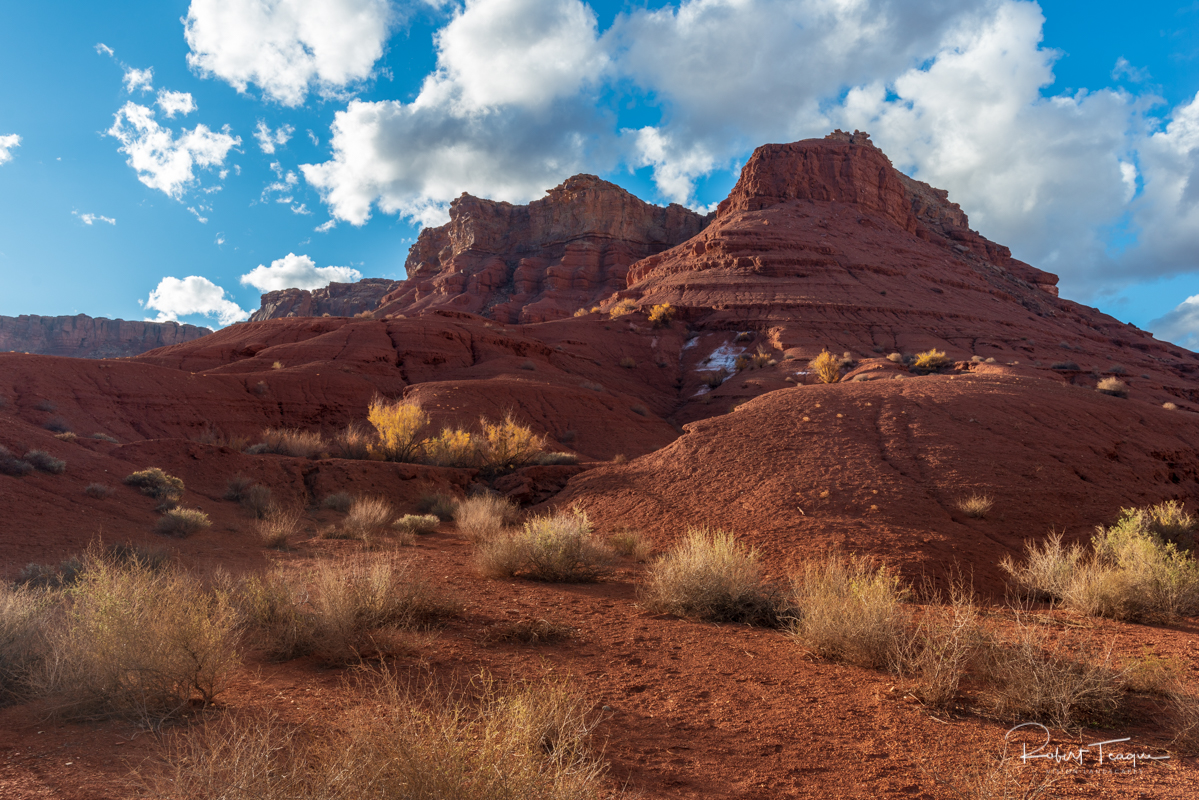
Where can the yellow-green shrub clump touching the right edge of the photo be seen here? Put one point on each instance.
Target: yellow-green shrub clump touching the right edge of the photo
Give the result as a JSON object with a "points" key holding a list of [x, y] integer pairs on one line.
{"points": [[1130, 573]]}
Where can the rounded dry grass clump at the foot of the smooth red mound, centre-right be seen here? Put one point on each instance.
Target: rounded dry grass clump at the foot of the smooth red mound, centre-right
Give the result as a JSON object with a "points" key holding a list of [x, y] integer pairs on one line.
{"points": [[712, 576]]}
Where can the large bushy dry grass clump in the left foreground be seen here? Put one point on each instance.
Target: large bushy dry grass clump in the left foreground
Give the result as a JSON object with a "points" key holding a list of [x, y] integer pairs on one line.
{"points": [[137, 641]]}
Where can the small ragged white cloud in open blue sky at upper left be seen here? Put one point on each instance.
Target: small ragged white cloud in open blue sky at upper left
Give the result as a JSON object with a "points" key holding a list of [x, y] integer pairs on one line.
{"points": [[161, 160]]}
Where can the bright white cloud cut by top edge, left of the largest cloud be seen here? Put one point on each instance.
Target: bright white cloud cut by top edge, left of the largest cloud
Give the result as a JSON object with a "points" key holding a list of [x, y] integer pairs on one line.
{"points": [[288, 47]]}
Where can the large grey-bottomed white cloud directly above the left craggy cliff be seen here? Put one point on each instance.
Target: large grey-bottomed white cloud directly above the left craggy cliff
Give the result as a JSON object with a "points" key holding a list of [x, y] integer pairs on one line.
{"points": [[505, 116]]}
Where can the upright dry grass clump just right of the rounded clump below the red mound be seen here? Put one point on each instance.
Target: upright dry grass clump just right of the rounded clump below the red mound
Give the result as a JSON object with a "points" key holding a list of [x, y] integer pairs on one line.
{"points": [[851, 610]]}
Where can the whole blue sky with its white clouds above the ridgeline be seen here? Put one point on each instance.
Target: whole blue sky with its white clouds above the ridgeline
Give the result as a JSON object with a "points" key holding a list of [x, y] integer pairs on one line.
{"points": [[1068, 130]]}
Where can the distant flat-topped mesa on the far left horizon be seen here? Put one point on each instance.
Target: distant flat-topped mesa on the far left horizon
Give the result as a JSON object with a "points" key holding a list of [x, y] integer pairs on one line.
{"points": [[91, 338]]}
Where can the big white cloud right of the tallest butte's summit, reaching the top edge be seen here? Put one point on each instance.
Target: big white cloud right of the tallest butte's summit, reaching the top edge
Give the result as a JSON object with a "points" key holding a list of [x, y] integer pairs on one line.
{"points": [[1038, 173]]}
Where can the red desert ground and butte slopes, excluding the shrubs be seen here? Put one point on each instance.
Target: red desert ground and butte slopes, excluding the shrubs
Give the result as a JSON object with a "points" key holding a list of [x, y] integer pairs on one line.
{"points": [[822, 245]]}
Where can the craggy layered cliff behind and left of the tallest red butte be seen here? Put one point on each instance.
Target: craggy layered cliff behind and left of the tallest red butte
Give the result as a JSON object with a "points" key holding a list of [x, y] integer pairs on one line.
{"points": [[538, 262]]}
